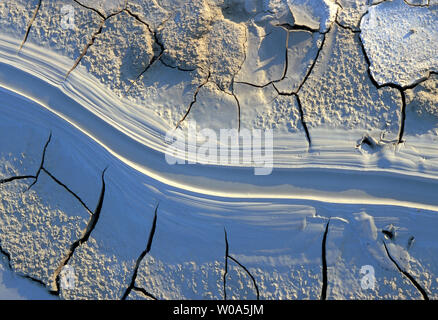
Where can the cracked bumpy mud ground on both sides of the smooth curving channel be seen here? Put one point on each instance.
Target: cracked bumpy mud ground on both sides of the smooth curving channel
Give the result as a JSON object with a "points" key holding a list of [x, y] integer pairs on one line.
{"points": [[283, 65]]}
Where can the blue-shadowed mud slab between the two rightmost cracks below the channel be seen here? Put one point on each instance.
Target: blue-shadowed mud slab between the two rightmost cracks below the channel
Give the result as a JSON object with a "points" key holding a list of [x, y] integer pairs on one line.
{"points": [[344, 265]]}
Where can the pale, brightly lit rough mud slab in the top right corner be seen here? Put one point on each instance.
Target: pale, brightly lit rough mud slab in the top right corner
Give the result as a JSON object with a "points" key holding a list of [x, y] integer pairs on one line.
{"points": [[406, 54]]}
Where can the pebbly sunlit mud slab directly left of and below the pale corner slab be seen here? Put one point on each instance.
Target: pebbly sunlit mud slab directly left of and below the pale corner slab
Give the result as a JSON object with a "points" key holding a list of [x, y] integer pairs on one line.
{"points": [[340, 94]]}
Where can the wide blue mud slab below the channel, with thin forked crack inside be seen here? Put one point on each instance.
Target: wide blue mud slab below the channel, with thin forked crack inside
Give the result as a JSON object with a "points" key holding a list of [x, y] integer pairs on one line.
{"points": [[174, 270]]}
